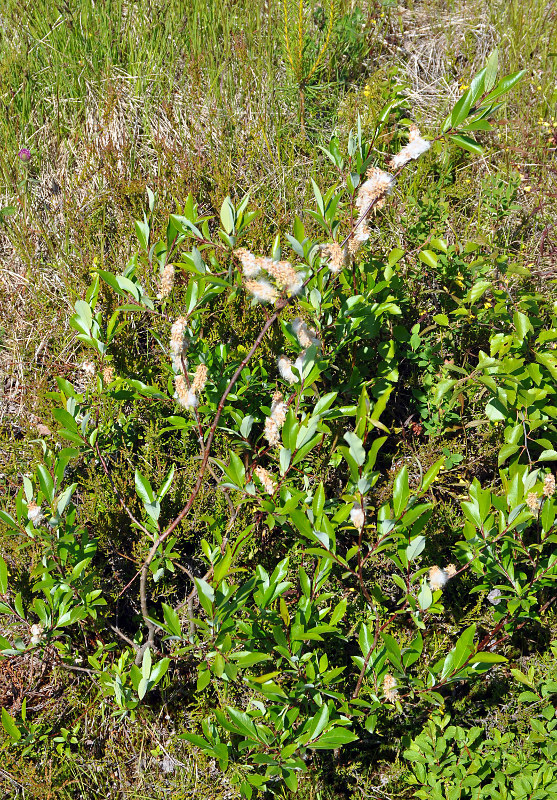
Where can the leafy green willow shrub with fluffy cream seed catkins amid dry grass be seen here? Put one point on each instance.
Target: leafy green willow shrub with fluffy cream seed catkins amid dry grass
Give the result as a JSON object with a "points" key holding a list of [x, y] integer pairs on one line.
{"points": [[306, 652]]}
